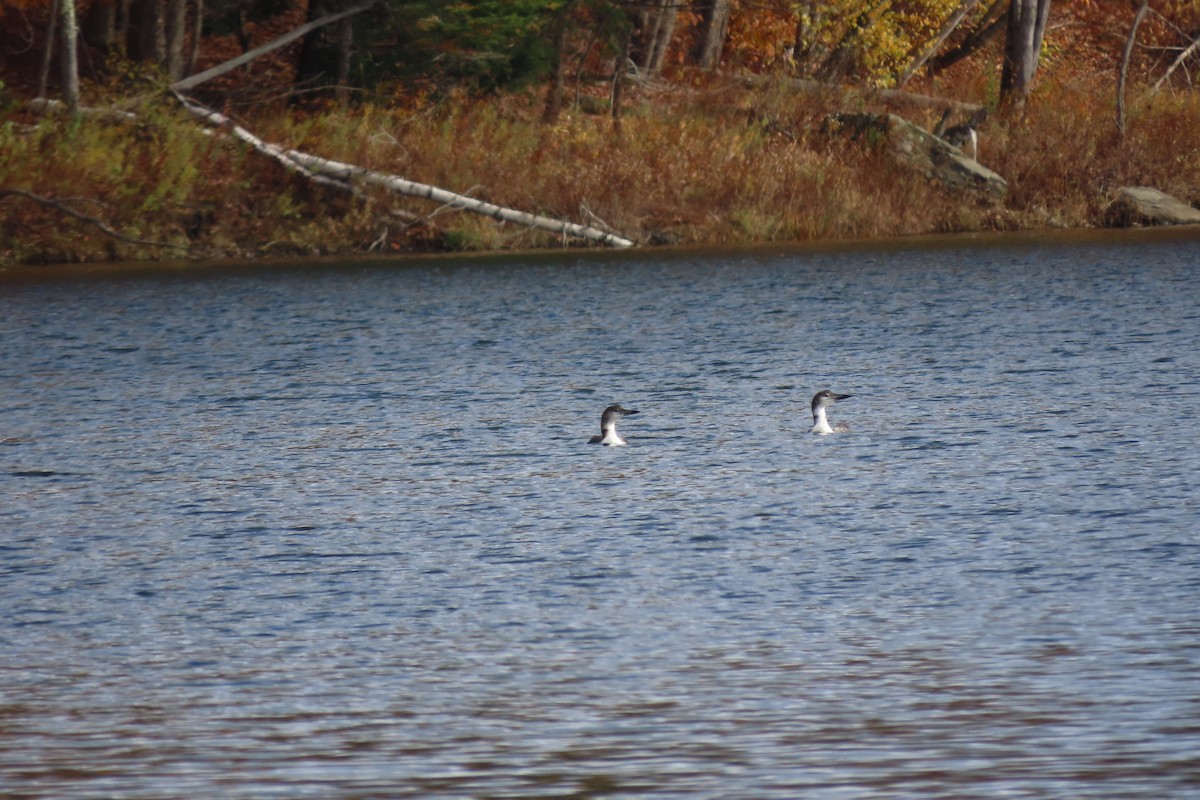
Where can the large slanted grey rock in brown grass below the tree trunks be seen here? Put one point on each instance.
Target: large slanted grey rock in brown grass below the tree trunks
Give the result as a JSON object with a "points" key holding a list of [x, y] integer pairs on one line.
{"points": [[921, 149]]}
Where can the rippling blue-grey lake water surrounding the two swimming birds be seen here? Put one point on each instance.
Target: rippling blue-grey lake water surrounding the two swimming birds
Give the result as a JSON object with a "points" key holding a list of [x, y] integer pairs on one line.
{"points": [[337, 532]]}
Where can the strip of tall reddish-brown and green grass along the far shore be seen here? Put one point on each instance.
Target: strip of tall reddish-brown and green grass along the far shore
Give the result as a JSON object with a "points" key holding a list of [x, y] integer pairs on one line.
{"points": [[711, 165]]}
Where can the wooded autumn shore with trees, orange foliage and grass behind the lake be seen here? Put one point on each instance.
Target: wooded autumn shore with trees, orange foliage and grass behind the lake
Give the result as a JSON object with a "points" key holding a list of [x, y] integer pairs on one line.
{"points": [[460, 94]]}
